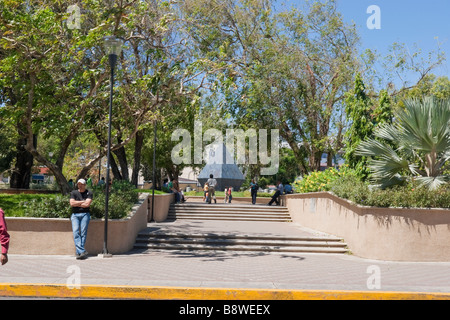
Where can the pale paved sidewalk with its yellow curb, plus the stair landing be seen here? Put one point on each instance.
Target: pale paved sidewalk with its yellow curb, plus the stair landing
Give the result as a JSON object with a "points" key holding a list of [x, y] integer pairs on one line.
{"points": [[221, 275]]}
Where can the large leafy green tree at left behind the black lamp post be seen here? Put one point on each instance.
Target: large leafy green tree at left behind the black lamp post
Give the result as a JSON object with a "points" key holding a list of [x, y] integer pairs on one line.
{"points": [[59, 76]]}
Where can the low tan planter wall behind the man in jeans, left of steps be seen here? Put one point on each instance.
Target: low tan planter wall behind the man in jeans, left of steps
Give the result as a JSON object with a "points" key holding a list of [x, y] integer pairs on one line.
{"points": [[44, 236]]}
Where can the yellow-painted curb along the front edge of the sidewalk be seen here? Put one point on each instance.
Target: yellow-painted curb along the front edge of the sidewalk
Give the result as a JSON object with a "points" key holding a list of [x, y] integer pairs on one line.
{"points": [[190, 293]]}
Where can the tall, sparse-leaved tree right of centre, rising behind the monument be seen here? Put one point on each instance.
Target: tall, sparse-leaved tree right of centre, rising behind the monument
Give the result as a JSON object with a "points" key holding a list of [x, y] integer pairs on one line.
{"points": [[288, 70]]}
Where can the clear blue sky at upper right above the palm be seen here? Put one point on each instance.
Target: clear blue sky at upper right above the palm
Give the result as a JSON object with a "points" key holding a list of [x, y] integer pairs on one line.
{"points": [[410, 22]]}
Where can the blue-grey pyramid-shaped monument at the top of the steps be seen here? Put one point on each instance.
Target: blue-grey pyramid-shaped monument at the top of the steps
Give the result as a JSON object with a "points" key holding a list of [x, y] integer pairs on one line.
{"points": [[220, 164]]}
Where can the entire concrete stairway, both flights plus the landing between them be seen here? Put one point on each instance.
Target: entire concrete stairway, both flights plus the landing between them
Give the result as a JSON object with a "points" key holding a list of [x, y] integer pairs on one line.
{"points": [[236, 227]]}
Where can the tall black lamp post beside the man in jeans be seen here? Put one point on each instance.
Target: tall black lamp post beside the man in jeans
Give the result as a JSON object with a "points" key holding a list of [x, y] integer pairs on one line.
{"points": [[113, 48]]}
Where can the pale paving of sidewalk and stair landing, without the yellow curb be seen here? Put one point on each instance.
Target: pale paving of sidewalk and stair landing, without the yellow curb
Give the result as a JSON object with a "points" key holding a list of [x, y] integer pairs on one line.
{"points": [[232, 270]]}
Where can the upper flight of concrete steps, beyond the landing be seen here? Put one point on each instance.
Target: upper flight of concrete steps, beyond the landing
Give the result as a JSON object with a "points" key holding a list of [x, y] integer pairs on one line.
{"points": [[234, 212]]}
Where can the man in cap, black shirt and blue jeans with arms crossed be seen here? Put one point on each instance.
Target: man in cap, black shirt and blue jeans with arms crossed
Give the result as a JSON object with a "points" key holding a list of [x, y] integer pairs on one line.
{"points": [[80, 201]]}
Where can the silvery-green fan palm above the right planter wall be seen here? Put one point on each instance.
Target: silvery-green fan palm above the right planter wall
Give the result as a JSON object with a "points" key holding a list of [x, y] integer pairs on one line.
{"points": [[421, 134]]}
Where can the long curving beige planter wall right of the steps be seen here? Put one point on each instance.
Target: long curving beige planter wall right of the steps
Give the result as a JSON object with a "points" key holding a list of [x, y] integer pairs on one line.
{"points": [[396, 234]]}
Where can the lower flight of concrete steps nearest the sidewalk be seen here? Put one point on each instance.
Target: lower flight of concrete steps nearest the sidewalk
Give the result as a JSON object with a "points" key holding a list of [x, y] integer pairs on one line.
{"points": [[224, 242]]}
